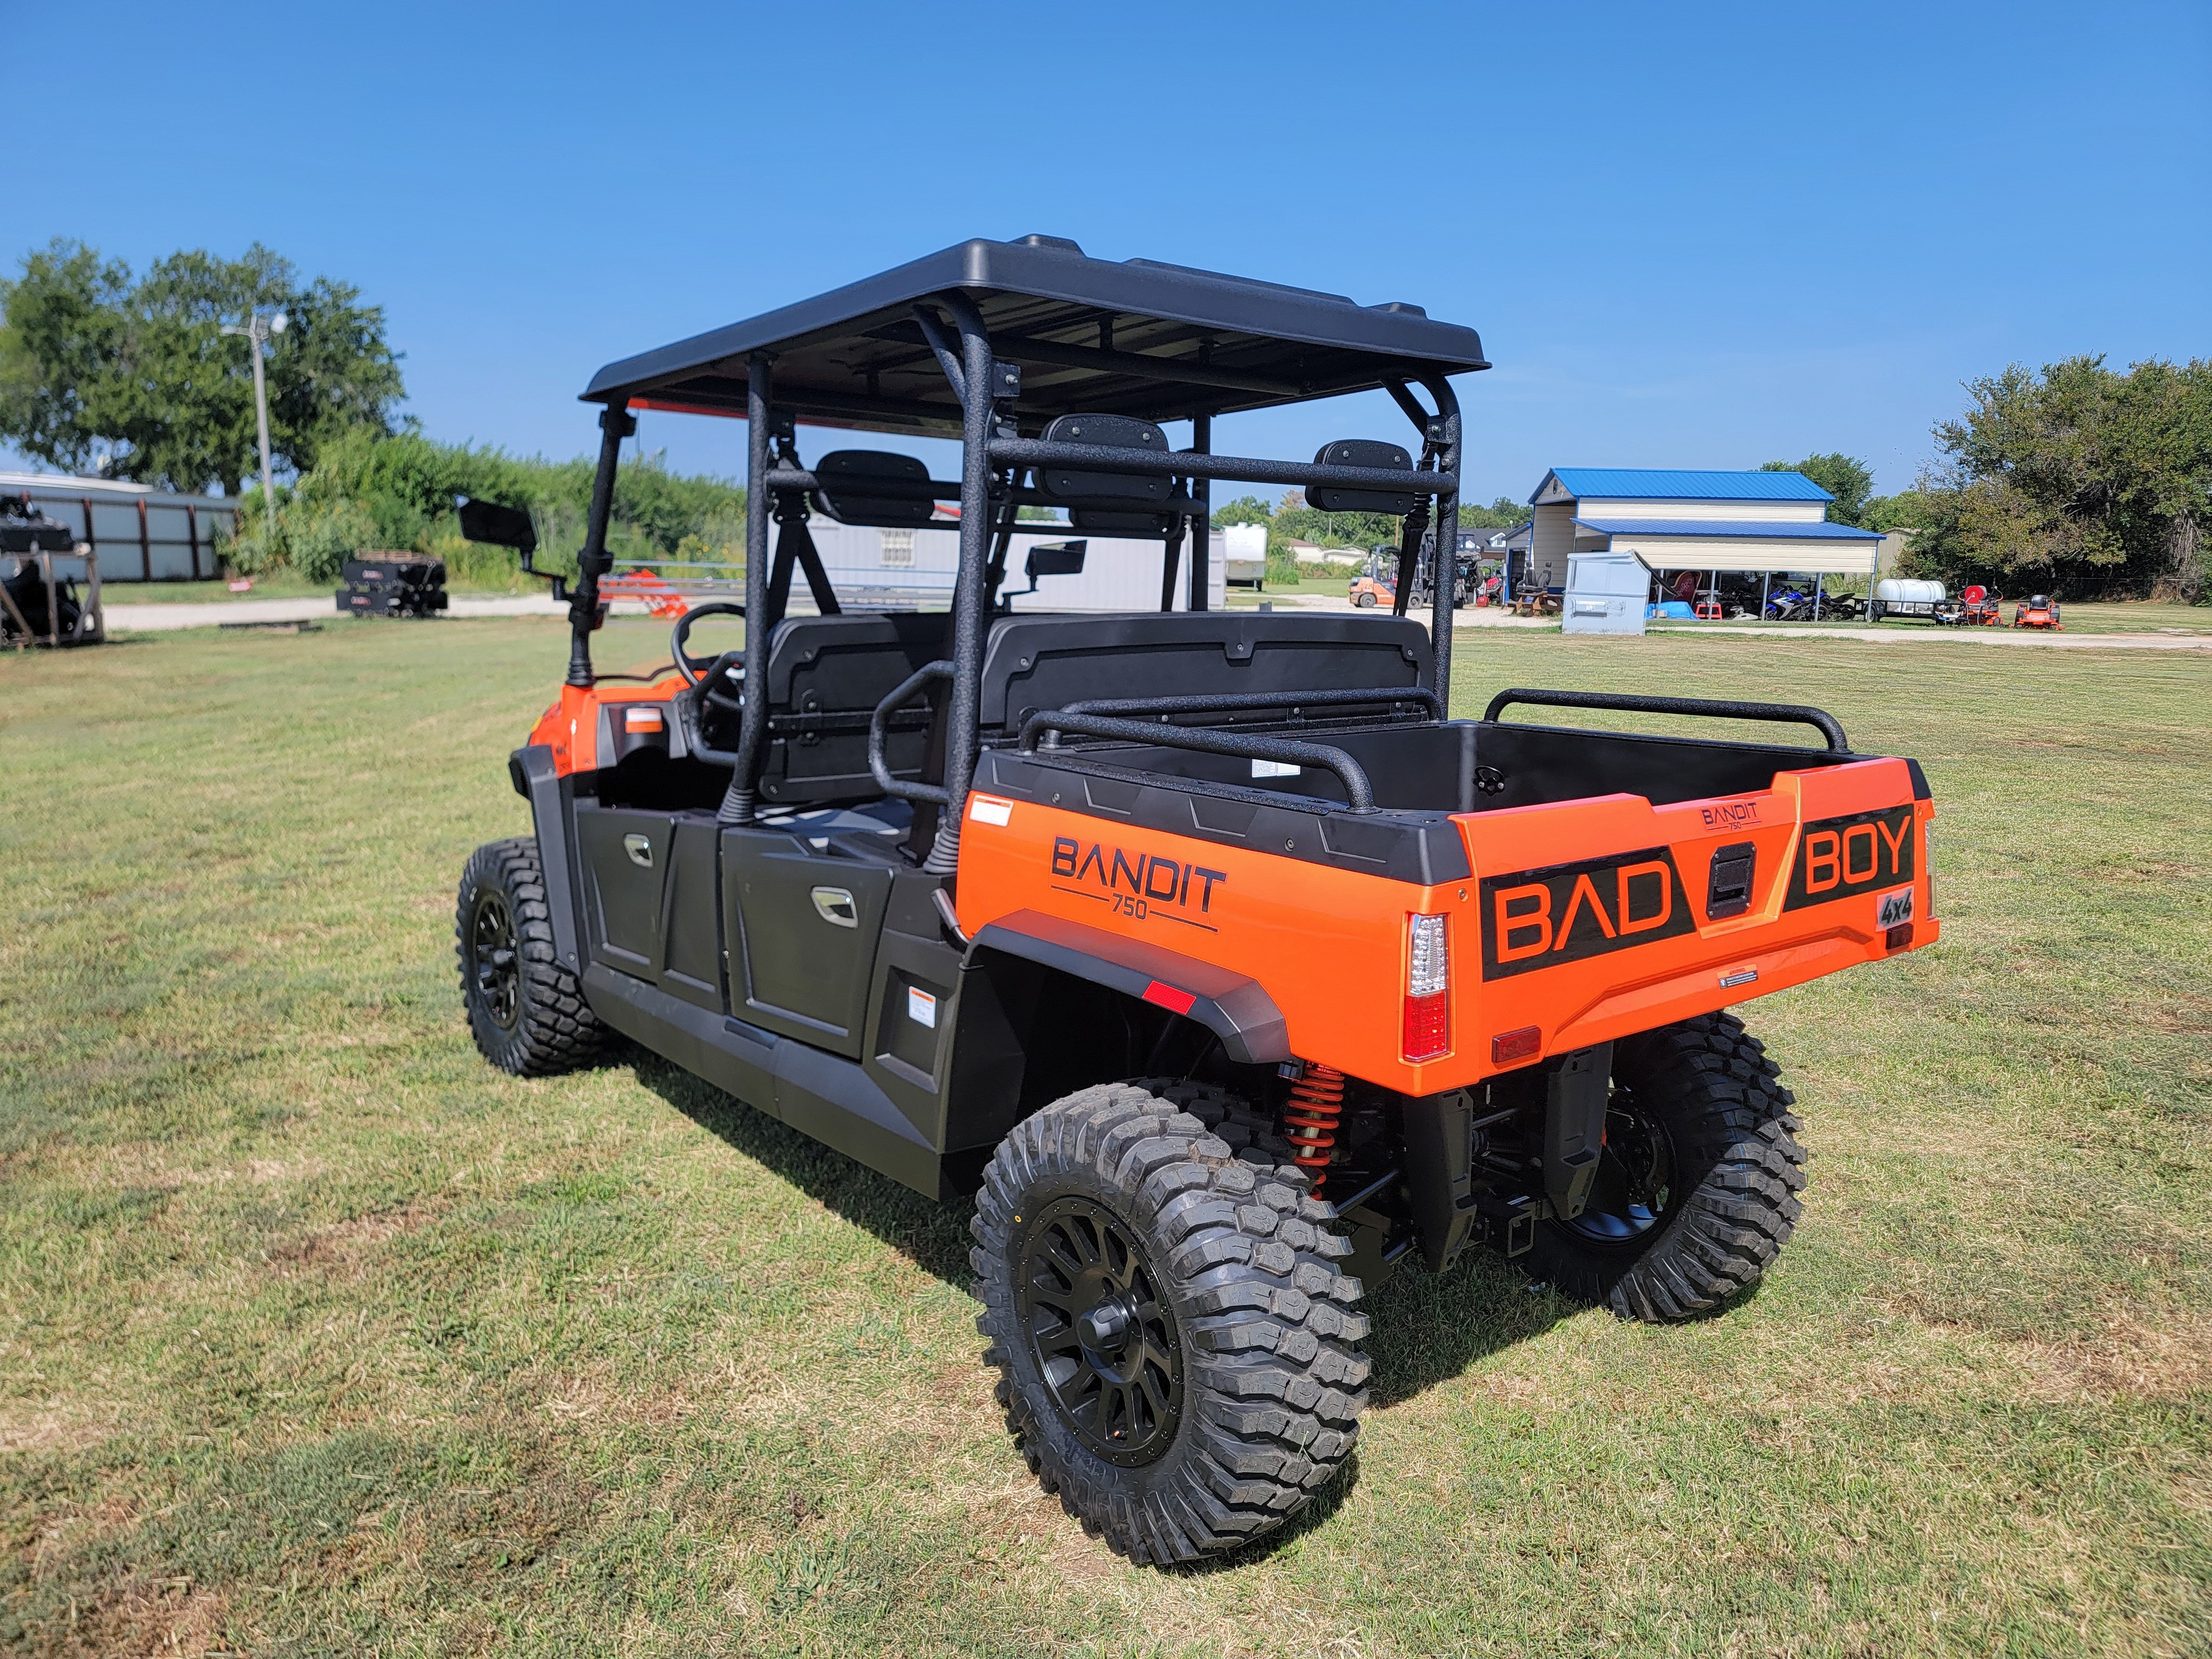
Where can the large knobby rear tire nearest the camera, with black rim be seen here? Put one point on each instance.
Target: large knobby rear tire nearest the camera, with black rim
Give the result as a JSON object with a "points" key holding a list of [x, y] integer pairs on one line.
{"points": [[1235, 1322]]}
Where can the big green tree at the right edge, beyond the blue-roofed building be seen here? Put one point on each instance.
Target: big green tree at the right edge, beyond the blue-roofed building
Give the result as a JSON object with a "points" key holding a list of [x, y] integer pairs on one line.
{"points": [[2076, 472]]}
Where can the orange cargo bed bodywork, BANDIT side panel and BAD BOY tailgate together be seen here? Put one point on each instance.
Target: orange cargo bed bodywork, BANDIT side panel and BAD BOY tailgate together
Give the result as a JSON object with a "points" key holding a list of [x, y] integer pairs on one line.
{"points": [[1585, 919]]}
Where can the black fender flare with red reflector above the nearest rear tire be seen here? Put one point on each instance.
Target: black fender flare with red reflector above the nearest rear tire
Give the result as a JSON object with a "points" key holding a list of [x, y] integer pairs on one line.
{"points": [[1227, 1003]]}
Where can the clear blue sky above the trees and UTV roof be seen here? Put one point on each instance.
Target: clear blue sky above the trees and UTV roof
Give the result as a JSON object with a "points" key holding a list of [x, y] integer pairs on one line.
{"points": [[1689, 236]]}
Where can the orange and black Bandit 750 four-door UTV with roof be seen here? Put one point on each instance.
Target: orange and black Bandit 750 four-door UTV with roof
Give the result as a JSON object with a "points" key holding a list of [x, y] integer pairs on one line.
{"points": [[1207, 954]]}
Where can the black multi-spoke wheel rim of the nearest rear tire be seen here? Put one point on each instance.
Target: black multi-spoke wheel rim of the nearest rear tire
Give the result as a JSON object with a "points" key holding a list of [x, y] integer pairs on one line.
{"points": [[1103, 1333]]}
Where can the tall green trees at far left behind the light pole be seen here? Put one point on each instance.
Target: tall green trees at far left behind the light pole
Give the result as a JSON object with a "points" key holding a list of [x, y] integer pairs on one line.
{"points": [[143, 368]]}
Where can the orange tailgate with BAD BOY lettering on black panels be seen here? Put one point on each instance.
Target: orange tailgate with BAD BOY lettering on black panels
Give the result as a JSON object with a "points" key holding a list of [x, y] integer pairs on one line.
{"points": [[1609, 917]]}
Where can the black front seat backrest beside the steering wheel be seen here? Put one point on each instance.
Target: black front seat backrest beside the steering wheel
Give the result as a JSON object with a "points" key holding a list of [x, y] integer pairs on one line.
{"points": [[824, 680]]}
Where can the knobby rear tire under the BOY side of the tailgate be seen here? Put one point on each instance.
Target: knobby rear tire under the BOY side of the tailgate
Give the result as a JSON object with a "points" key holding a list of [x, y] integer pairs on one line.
{"points": [[1700, 1129]]}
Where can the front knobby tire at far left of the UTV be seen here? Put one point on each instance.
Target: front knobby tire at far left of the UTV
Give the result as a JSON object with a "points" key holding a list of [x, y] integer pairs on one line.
{"points": [[525, 1010]]}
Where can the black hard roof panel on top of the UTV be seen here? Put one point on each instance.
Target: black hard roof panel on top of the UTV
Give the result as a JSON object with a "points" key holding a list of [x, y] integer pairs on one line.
{"points": [[1092, 335]]}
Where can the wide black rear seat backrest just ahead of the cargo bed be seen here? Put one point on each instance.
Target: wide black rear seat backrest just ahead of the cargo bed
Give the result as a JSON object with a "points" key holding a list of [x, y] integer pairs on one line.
{"points": [[1052, 662]]}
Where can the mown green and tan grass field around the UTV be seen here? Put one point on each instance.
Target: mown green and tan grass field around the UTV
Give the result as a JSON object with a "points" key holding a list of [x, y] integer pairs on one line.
{"points": [[322, 1337]]}
